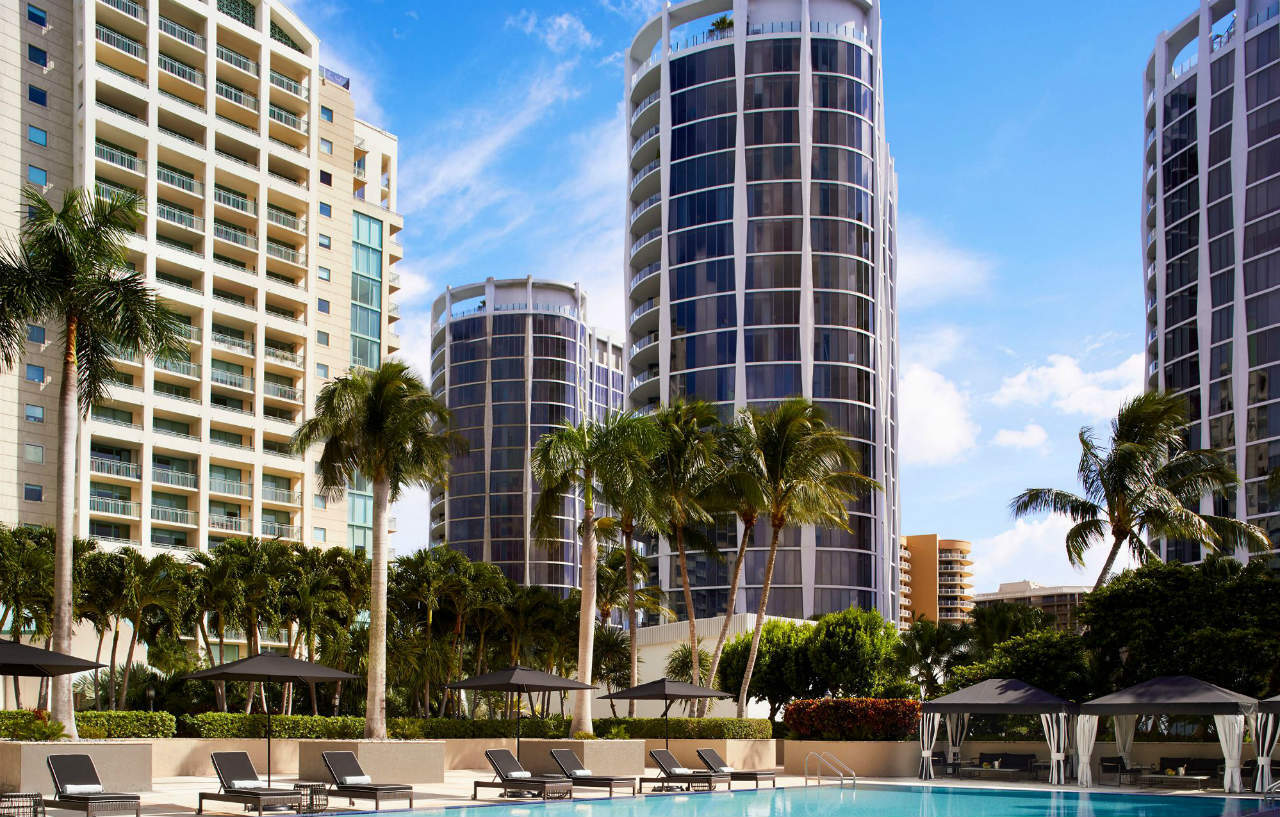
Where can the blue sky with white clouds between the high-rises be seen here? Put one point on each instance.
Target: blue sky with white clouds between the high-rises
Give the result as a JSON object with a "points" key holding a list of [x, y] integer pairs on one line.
{"points": [[1017, 135]]}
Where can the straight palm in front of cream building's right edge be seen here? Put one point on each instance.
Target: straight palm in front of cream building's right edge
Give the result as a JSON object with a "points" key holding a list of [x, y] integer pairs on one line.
{"points": [[381, 426]]}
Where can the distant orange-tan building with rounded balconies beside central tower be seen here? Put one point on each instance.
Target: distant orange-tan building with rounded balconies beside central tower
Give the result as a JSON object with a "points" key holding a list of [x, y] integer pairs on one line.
{"points": [[935, 579]]}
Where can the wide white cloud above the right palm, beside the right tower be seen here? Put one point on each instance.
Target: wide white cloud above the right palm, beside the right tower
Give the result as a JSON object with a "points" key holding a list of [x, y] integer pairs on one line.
{"points": [[1064, 385]]}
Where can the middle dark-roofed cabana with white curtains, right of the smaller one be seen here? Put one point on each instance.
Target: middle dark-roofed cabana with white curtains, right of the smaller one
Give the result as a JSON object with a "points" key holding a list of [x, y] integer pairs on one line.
{"points": [[1171, 695]]}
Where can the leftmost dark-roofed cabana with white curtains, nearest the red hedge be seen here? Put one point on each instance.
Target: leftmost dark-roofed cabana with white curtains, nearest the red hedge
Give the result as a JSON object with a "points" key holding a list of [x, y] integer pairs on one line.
{"points": [[1000, 696]]}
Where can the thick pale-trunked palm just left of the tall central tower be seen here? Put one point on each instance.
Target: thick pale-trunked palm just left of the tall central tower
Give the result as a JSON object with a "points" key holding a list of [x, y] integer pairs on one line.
{"points": [[570, 463]]}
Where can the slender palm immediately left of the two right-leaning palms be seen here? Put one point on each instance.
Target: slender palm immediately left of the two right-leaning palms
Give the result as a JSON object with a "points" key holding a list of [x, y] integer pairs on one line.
{"points": [[687, 465]]}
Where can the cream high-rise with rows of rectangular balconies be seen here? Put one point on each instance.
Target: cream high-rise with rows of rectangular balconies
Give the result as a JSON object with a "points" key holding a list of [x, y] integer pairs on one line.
{"points": [[269, 229]]}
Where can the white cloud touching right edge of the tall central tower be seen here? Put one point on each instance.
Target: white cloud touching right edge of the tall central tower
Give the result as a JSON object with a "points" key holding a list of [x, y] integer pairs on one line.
{"points": [[936, 427]]}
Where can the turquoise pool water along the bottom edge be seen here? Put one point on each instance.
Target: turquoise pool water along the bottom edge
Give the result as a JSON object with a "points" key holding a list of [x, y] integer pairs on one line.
{"points": [[877, 801]]}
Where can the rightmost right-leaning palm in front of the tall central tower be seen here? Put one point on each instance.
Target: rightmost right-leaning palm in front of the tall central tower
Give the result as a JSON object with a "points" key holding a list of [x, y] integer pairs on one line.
{"points": [[811, 476]]}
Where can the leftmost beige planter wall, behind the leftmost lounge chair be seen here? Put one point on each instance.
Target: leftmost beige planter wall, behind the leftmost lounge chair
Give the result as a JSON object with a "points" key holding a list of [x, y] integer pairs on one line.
{"points": [[124, 765]]}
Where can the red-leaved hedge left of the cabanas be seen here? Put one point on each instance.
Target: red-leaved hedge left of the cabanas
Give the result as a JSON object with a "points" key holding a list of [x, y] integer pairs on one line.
{"points": [[853, 719]]}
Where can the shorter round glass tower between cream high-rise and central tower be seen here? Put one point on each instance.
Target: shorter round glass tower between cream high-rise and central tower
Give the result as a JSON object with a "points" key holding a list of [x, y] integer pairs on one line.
{"points": [[514, 359]]}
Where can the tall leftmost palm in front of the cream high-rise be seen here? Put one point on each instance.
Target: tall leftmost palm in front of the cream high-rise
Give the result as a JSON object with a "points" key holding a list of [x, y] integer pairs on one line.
{"points": [[70, 268]]}
